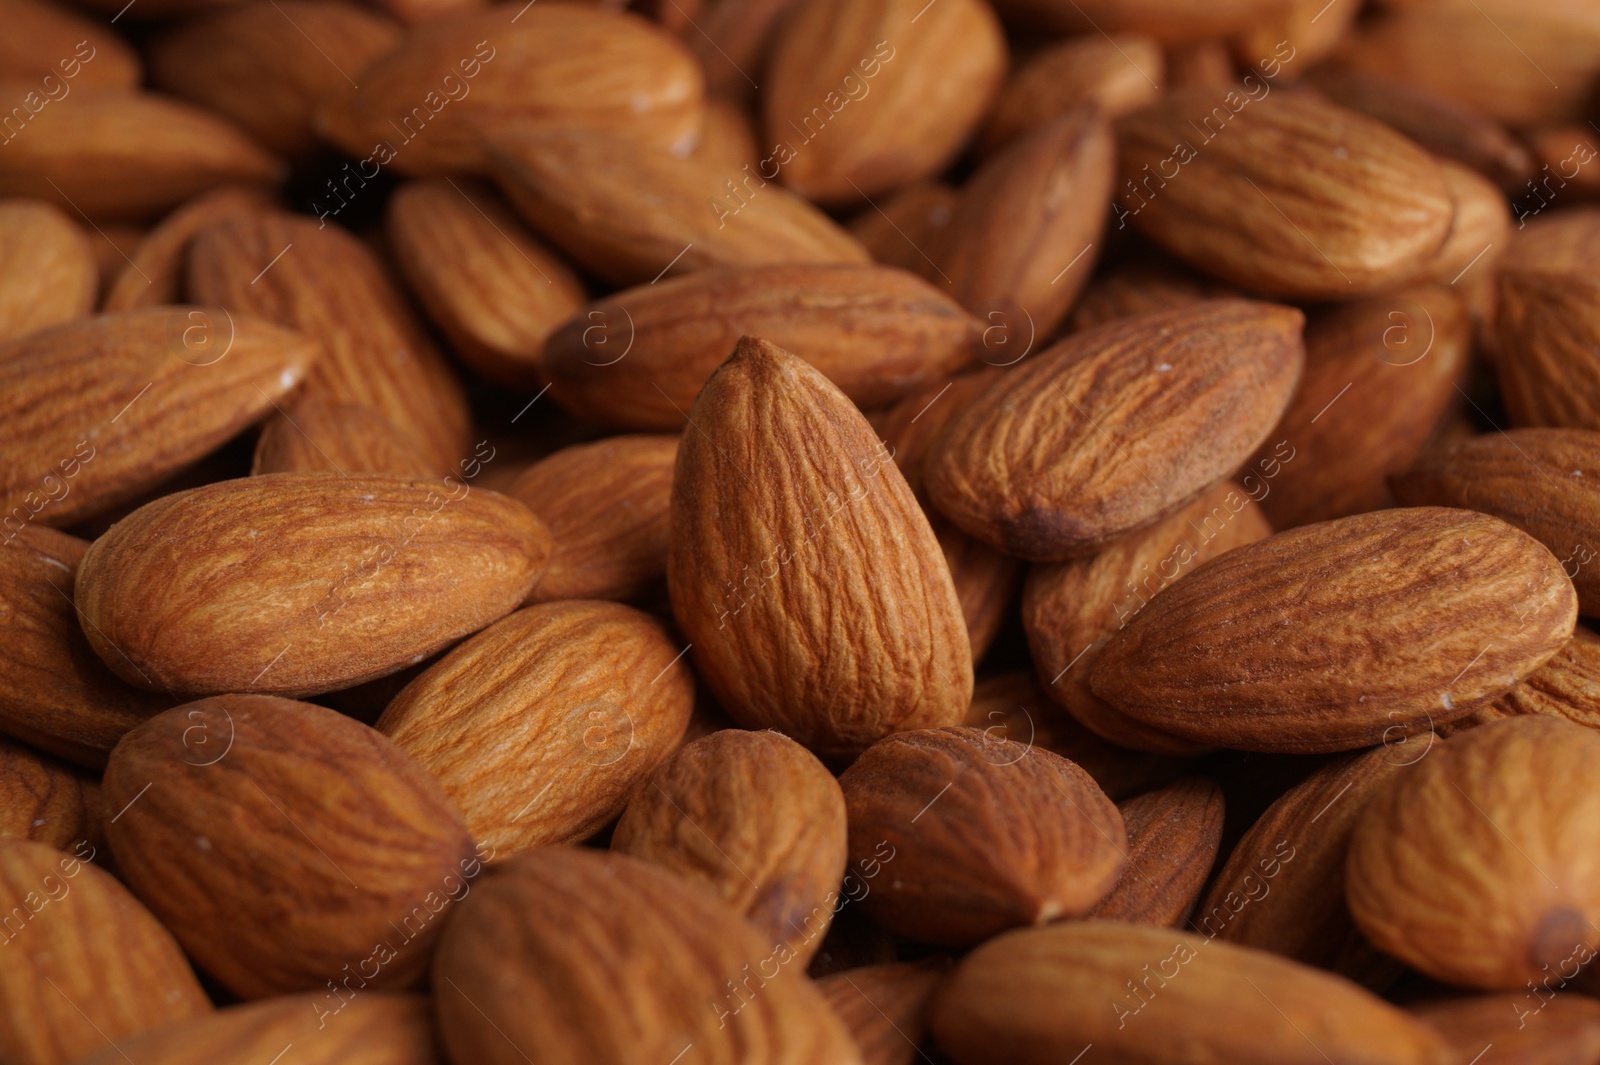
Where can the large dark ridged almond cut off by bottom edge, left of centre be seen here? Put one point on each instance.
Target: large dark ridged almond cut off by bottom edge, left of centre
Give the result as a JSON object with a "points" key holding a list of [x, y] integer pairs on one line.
{"points": [[534, 960]]}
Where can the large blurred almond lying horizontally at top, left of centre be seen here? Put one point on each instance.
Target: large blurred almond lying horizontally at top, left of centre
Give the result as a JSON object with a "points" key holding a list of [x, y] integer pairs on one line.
{"points": [[428, 105]]}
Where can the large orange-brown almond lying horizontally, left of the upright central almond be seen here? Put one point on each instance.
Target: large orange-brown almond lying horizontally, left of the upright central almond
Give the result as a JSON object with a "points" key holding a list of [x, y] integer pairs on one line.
{"points": [[302, 583]]}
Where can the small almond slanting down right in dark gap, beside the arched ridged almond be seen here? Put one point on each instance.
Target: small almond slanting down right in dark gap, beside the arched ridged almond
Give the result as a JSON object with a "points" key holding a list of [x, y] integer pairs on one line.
{"points": [[489, 284]]}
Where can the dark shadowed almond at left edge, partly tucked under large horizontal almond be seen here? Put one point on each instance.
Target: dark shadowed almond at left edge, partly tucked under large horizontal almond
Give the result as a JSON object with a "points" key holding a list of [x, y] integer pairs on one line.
{"points": [[55, 692]]}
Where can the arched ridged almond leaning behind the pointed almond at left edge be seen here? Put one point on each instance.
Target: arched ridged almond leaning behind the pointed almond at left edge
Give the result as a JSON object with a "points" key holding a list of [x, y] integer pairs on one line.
{"points": [[329, 285]]}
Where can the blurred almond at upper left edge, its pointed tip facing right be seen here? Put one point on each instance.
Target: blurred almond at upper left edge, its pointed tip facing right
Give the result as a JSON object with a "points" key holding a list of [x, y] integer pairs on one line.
{"points": [[121, 156]]}
